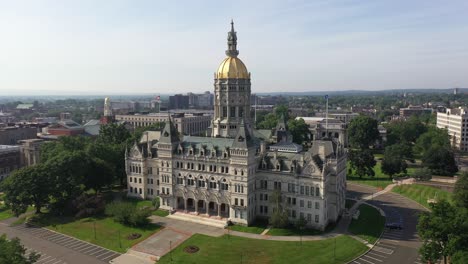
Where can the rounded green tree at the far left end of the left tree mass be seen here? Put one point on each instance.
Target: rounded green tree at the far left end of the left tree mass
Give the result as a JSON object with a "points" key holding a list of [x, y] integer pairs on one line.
{"points": [[27, 186]]}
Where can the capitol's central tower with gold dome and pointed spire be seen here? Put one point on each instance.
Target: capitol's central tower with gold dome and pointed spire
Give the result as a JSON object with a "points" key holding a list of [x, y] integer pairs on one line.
{"points": [[232, 92]]}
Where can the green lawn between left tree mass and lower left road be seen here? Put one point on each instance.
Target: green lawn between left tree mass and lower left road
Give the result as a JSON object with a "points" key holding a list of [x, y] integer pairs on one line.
{"points": [[109, 234]]}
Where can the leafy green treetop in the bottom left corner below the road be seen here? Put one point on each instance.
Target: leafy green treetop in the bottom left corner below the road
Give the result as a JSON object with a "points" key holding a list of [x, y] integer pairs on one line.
{"points": [[11, 251]]}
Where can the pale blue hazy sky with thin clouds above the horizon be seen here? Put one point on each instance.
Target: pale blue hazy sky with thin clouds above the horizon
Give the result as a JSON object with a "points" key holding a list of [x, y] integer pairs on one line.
{"points": [[158, 47]]}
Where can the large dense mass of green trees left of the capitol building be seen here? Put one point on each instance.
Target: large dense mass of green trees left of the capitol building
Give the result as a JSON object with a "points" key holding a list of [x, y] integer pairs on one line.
{"points": [[71, 168]]}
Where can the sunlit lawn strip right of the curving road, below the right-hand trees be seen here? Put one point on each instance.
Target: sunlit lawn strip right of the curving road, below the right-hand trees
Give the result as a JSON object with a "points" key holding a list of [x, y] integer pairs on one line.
{"points": [[421, 193]]}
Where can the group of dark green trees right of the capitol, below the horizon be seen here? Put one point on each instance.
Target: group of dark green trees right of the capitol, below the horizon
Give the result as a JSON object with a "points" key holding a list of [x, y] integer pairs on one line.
{"points": [[406, 139]]}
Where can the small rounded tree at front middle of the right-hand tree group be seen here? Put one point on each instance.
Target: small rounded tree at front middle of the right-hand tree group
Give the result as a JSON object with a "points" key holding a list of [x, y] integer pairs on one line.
{"points": [[393, 161]]}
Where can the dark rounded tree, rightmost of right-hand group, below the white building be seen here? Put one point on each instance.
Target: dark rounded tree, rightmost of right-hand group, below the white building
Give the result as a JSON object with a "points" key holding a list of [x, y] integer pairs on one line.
{"points": [[440, 160]]}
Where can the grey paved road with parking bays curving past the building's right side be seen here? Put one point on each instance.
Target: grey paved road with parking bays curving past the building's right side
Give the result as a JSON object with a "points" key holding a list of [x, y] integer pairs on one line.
{"points": [[395, 246]]}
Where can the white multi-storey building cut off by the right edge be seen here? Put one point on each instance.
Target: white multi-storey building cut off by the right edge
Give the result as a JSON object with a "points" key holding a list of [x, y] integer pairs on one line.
{"points": [[456, 122]]}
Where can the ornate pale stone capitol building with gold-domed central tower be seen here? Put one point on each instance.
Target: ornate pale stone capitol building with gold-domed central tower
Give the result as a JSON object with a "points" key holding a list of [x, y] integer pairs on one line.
{"points": [[232, 173]]}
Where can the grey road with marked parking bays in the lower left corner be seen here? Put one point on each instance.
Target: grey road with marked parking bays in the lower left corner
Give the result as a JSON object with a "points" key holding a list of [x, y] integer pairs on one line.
{"points": [[51, 253]]}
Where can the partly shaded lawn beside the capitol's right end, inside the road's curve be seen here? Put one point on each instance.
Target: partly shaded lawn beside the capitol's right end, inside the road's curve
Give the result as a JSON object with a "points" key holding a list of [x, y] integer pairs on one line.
{"points": [[369, 225]]}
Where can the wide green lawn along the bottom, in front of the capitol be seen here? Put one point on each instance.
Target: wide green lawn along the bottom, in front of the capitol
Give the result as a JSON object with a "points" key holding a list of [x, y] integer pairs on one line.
{"points": [[232, 249]]}
